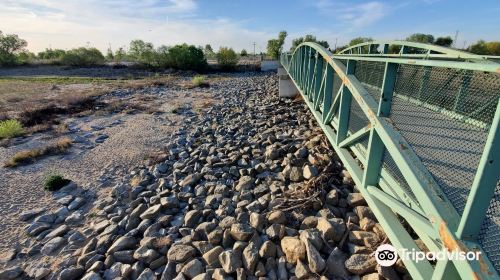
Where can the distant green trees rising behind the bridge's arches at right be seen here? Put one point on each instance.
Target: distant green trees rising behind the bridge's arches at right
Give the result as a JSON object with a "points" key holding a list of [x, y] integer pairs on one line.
{"points": [[481, 47]]}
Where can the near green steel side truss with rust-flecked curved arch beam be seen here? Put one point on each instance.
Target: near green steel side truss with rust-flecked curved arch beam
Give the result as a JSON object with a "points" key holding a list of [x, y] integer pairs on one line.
{"points": [[430, 213]]}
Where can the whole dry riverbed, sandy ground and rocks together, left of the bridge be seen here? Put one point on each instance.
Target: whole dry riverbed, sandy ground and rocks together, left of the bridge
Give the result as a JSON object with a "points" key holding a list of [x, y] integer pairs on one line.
{"points": [[177, 182]]}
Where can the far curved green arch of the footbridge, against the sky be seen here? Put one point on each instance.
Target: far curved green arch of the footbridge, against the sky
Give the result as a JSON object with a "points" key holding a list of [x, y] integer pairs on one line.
{"points": [[431, 51]]}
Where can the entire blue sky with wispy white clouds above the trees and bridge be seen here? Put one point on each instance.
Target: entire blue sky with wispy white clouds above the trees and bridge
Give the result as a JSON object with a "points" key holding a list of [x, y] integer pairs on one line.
{"points": [[100, 23]]}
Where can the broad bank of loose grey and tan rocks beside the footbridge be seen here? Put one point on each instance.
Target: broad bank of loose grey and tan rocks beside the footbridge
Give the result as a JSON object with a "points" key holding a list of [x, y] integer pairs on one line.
{"points": [[250, 190]]}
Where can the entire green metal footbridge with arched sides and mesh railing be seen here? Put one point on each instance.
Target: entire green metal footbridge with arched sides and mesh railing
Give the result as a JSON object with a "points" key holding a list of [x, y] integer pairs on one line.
{"points": [[417, 126]]}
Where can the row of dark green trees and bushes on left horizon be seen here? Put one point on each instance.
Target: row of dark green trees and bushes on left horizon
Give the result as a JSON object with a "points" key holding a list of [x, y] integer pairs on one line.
{"points": [[182, 56]]}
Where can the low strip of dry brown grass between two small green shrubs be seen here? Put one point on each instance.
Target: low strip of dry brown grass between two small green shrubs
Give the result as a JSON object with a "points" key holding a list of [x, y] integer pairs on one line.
{"points": [[30, 156]]}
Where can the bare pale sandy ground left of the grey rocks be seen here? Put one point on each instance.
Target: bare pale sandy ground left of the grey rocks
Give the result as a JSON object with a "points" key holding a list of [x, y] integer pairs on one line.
{"points": [[131, 138]]}
